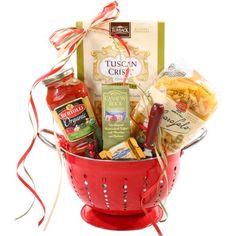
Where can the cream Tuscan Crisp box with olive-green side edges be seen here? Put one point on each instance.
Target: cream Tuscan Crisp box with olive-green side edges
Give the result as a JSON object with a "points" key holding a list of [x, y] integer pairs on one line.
{"points": [[102, 60]]}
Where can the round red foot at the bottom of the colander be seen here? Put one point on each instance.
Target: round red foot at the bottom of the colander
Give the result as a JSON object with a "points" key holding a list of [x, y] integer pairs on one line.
{"points": [[115, 222]]}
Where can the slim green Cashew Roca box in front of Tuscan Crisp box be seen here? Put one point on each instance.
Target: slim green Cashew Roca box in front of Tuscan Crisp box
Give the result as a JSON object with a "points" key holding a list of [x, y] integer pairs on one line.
{"points": [[115, 114]]}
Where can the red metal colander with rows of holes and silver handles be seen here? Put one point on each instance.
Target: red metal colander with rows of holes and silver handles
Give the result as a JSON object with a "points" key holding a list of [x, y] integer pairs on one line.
{"points": [[112, 190]]}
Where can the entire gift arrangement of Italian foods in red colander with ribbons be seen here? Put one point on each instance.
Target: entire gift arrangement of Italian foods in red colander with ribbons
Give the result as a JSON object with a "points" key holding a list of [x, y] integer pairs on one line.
{"points": [[124, 124]]}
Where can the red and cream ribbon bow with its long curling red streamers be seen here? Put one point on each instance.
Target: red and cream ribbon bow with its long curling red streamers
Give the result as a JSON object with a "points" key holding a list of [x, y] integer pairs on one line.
{"points": [[66, 41]]}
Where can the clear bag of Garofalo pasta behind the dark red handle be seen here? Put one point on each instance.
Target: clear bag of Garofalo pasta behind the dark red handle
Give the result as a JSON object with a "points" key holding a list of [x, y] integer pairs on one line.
{"points": [[188, 103]]}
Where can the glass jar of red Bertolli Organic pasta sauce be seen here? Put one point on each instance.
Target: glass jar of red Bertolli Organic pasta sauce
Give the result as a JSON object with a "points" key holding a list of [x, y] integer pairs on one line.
{"points": [[68, 99]]}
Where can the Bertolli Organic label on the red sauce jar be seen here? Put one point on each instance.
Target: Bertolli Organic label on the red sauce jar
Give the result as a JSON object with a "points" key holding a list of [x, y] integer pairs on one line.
{"points": [[75, 118]]}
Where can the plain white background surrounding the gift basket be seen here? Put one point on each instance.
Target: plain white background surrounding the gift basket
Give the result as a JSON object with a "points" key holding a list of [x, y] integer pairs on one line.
{"points": [[201, 32]]}
